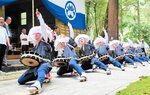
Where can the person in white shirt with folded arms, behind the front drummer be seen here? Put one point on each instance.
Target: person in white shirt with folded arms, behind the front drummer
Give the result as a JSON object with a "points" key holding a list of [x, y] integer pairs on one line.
{"points": [[24, 40]]}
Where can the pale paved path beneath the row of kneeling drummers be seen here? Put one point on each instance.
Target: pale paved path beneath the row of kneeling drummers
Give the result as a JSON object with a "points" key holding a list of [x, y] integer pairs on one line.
{"points": [[98, 83]]}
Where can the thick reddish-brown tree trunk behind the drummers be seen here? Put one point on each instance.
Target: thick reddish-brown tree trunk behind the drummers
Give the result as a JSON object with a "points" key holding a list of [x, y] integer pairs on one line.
{"points": [[113, 19]]}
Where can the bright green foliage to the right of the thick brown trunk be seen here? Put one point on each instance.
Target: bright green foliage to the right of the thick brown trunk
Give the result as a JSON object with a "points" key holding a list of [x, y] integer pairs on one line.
{"points": [[133, 17]]}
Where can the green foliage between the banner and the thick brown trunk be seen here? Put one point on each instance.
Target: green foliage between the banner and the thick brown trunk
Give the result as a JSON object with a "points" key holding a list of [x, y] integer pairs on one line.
{"points": [[96, 15]]}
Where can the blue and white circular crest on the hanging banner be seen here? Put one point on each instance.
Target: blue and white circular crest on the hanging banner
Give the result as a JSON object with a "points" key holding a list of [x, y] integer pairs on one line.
{"points": [[70, 10]]}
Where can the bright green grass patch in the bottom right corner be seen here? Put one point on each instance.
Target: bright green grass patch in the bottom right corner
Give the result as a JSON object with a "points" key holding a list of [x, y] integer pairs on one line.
{"points": [[141, 87]]}
